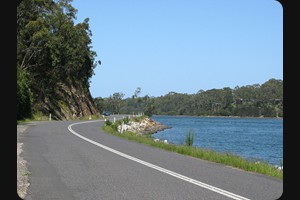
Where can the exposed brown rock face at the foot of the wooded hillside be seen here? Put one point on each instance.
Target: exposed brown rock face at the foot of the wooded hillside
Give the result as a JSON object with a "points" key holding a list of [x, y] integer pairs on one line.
{"points": [[69, 102]]}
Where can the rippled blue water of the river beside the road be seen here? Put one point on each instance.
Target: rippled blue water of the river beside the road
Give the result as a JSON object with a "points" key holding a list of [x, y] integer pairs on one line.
{"points": [[251, 138]]}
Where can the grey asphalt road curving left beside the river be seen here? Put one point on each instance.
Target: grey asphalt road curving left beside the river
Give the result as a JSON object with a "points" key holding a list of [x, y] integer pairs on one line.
{"points": [[70, 160]]}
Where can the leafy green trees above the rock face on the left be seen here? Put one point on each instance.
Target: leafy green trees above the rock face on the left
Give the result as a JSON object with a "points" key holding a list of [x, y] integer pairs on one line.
{"points": [[52, 51]]}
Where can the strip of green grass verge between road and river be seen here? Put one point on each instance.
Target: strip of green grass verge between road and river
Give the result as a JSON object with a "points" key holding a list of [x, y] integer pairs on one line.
{"points": [[205, 154]]}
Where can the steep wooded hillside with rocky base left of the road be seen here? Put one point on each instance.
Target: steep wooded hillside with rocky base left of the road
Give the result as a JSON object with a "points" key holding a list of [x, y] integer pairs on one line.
{"points": [[54, 61]]}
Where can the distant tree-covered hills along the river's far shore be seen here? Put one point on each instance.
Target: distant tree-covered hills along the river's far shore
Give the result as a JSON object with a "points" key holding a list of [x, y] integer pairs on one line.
{"points": [[265, 100]]}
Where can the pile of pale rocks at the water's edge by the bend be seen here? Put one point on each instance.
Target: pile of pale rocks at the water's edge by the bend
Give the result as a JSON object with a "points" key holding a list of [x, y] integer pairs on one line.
{"points": [[146, 126]]}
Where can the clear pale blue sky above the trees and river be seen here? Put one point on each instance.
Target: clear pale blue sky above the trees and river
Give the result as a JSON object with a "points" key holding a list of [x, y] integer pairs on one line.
{"points": [[182, 45]]}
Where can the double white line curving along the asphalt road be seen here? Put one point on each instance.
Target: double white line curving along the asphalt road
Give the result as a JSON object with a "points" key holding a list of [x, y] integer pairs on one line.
{"points": [[182, 177]]}
